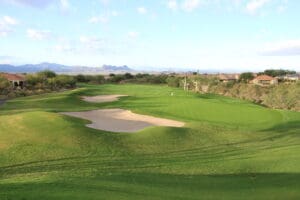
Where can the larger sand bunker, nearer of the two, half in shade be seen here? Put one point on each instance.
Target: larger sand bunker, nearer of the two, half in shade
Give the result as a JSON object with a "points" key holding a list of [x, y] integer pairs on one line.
{"points": [[119, 120]]}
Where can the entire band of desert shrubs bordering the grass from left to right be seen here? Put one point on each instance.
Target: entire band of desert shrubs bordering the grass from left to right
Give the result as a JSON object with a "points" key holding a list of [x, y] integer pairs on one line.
{"points": [[281, 96]]}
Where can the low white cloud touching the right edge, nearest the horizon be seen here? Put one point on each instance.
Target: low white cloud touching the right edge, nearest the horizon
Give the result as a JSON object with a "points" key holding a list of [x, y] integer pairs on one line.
{"points": [[283, 48]]}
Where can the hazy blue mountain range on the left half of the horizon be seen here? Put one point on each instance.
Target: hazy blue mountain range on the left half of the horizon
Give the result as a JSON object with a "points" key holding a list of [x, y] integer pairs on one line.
{"points": [[58, 68]]}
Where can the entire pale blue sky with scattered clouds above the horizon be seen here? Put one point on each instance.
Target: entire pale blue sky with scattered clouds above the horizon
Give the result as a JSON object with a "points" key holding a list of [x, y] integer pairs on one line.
{"points": [[202, 34]]}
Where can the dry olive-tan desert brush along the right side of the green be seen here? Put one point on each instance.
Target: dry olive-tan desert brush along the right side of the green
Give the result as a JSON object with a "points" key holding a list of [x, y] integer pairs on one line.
{"points": [[281, 96]]}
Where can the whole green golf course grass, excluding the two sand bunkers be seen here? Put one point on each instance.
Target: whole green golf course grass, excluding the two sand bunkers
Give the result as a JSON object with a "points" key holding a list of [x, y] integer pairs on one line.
{"points": [[228, 149]]}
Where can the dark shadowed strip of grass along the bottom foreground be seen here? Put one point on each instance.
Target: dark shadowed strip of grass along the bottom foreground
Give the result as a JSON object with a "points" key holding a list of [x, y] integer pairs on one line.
{"points": [[126, 185]]}
